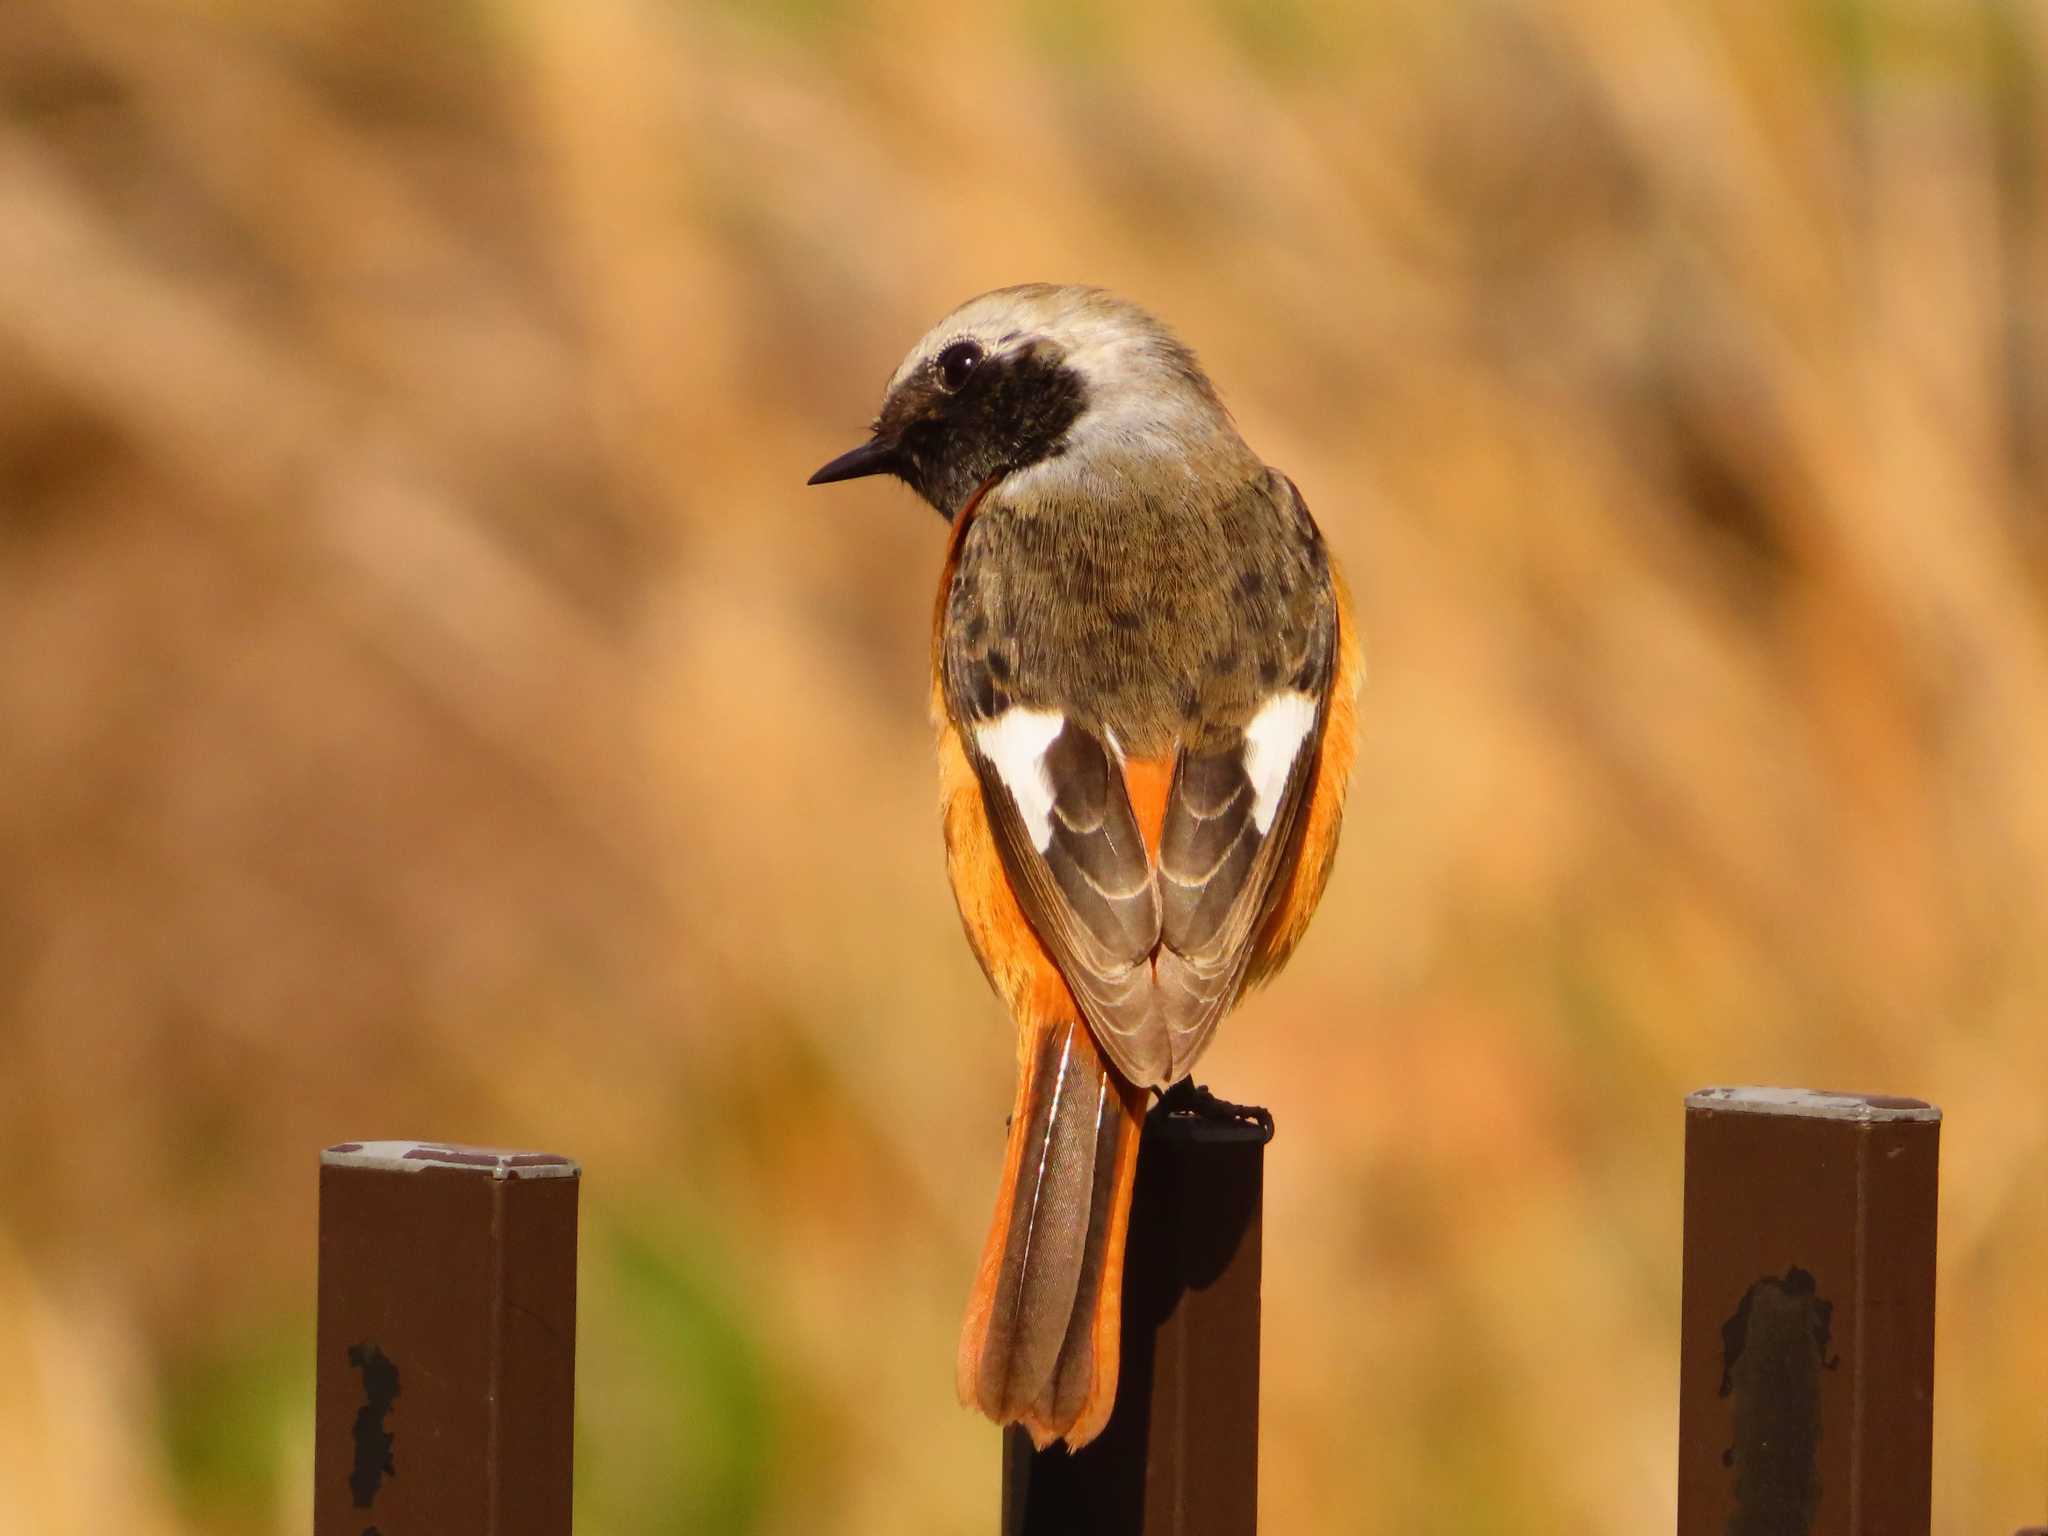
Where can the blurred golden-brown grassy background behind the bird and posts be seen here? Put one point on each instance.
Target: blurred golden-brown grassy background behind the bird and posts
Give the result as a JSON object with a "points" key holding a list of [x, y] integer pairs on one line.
{"points": [[433, 706]]}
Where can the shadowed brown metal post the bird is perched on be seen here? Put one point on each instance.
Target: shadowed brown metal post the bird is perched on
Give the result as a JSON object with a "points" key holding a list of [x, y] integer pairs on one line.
{"points": [[1181, 1455]]}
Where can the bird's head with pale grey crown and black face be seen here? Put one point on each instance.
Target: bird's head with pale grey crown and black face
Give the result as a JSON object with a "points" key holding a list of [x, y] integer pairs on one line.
{"points": [[1035, 380]]}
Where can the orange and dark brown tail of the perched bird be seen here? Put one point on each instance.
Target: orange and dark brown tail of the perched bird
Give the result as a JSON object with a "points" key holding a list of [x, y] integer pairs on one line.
{"points": [[1043, 1324]]}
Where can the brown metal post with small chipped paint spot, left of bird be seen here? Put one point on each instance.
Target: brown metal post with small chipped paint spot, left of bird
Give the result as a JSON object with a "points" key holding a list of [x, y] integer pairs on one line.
{"points": [[445, 1377]]}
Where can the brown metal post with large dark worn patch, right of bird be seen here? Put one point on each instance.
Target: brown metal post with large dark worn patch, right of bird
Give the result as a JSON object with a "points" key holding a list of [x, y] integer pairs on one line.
{"points": [[1807, 1318]]}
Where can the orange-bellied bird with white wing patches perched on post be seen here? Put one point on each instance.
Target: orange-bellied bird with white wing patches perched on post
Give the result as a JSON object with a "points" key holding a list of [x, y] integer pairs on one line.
{"points": [[1144, 683]]}
